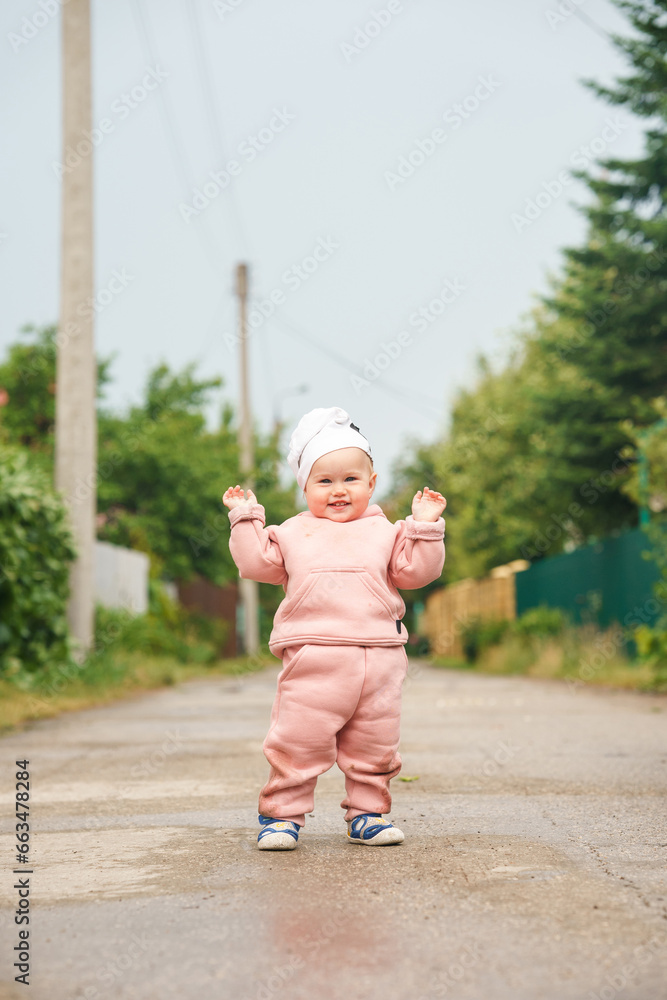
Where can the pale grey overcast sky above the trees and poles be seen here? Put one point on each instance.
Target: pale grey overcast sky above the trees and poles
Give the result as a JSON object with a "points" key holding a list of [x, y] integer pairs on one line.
{"points": [[373, 165]]}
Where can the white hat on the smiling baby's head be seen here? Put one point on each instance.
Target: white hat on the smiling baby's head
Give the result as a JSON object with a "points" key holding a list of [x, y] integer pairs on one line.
{"points": [[319, 432]]}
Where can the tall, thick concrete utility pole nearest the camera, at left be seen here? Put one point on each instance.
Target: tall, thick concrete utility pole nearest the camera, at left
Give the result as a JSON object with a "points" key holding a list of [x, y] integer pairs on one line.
{"points": [[76, 418]]}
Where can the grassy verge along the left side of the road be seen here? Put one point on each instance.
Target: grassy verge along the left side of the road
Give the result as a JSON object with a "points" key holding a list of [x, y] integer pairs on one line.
{"points": [[104, 679]]}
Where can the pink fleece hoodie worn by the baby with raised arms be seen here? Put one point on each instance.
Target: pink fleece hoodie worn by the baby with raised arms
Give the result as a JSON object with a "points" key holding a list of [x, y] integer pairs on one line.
{"points": [[340, 578]]}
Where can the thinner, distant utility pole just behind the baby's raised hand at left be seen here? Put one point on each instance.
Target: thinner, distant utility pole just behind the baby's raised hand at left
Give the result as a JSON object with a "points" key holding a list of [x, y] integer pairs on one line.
{"points": [[249, 589]]}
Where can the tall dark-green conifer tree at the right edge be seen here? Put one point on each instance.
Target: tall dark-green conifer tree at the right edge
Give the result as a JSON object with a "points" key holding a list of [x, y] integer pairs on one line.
{"points": [[605, 322]]}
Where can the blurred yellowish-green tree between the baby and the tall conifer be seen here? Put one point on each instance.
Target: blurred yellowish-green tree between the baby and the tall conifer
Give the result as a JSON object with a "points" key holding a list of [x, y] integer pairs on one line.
{"points": [[501, 481]]}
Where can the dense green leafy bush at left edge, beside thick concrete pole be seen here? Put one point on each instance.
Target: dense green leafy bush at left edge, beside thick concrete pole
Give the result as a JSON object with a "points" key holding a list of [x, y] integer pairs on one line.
{"points": [[36, 549]]}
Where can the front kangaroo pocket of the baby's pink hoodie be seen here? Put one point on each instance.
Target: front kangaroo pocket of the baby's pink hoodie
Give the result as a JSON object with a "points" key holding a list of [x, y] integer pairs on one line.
{"points": [[332, 591]]}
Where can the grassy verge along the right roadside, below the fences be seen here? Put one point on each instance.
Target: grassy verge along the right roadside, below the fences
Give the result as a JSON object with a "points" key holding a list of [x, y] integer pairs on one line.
{"points": [[577, 655]]}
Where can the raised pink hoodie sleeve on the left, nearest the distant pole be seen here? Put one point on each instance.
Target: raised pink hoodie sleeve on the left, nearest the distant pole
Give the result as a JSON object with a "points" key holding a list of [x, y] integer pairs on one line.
{"points": [[254, 548]]}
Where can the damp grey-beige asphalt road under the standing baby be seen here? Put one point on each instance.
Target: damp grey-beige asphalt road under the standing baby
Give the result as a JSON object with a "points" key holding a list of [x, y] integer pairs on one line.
{"points": [[533, 865]]}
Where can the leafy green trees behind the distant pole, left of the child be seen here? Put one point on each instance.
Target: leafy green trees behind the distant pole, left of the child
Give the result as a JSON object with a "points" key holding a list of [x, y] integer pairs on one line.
{"points": [[161, 476]]}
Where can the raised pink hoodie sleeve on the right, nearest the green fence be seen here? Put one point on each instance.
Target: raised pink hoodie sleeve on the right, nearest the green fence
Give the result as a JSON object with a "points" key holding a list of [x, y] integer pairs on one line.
{"points": [[418, 554]]}
